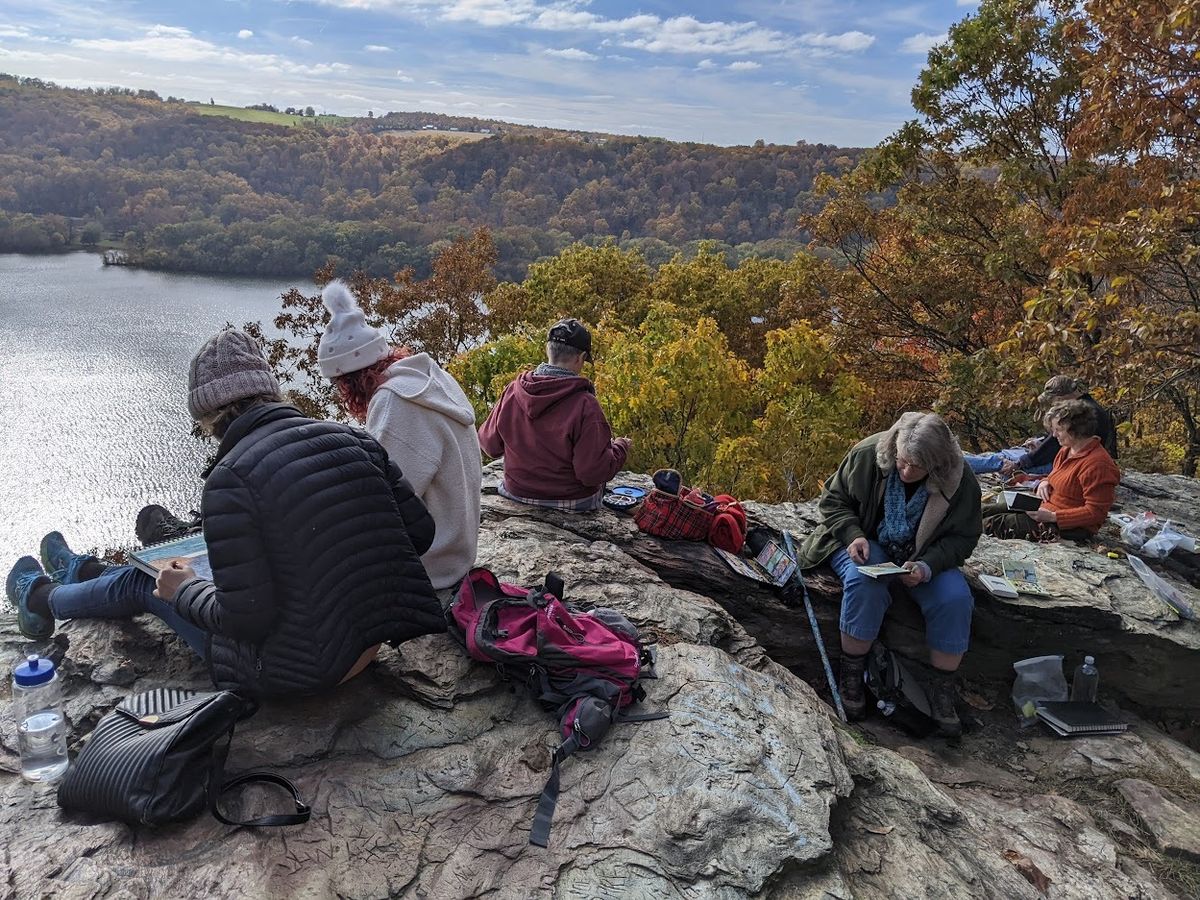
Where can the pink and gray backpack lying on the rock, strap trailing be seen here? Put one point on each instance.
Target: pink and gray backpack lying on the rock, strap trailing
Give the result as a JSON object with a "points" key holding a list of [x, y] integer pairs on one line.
{"points": [[586, 667]]}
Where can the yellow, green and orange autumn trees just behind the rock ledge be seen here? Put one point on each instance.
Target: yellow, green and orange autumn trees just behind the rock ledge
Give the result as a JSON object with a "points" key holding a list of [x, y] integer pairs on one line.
{"points": [[1042, 215]]}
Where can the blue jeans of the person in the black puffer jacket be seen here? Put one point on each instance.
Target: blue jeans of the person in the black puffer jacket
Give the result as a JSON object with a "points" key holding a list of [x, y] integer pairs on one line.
{"points": [[119, 593]]}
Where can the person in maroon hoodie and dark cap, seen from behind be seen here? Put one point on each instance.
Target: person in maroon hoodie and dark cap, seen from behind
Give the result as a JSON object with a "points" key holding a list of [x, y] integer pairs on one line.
{"points": [[557, 447]]}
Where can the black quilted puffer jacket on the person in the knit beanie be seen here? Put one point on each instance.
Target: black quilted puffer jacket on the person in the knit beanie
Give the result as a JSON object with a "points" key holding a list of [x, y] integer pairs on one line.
{"points": [[315, 539]]}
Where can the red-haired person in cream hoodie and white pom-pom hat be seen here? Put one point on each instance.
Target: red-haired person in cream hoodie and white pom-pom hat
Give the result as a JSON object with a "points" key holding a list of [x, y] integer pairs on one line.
{"points": [[421, 416]]}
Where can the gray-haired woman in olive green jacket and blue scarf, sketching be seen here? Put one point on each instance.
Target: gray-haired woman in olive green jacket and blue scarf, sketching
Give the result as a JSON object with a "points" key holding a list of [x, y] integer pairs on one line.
{"points": [[903, 496]]}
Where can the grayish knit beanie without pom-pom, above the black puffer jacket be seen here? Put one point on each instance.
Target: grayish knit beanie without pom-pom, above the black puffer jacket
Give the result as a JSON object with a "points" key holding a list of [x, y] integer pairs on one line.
{"points": [[229, 368]]}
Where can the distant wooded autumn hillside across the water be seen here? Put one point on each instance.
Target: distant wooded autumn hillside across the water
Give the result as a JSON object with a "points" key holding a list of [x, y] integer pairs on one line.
{"points": [[212, 194]]}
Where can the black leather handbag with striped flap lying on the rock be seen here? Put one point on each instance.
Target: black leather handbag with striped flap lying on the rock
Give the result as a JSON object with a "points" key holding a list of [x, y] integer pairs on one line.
{"points": [[160, 757]]}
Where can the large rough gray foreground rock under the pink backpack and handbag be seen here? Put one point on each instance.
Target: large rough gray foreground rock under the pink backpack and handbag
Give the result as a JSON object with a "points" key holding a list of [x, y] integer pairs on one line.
{"points": [[424, 772]]}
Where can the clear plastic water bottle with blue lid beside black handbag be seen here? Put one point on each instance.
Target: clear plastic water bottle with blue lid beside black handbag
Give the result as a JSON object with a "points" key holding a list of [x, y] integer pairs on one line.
{"points": [[41, 729]]}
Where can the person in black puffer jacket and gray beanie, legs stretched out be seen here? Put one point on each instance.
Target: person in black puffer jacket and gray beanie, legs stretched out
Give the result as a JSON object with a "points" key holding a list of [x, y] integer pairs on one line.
{"points": [[314, 538]]}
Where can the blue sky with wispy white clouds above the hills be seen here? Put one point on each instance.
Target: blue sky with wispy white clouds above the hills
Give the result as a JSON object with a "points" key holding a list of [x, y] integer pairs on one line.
{"points": [[731, 73]]}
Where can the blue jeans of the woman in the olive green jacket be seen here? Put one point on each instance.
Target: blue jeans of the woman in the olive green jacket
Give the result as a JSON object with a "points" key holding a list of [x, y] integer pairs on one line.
{"points": [[945, 602]]}
